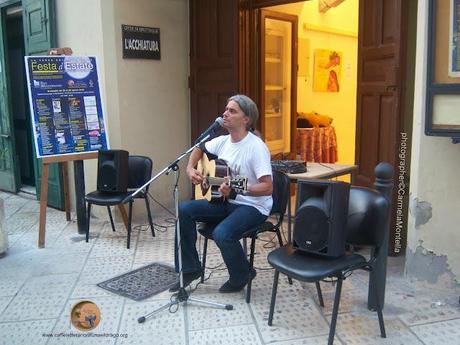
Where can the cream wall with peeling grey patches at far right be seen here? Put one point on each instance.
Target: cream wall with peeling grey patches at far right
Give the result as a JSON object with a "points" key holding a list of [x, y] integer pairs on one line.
{"points": [[433, 224]]}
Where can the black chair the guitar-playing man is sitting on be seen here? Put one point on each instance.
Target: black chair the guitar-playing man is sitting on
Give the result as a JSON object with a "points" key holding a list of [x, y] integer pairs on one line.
{"points": [[281, 185]]}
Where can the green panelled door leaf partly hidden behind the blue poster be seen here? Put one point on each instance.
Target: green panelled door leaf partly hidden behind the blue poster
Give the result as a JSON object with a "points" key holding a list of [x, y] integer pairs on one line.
{"points": [[39, 37]]}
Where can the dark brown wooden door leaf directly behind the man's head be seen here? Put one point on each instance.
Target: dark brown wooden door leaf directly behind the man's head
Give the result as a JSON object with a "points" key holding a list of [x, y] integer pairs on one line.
{"points": [[213, 60]]}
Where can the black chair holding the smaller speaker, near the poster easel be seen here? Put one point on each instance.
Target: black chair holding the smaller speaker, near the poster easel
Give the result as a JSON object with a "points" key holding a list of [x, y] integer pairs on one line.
{"points": [[140, 171]]}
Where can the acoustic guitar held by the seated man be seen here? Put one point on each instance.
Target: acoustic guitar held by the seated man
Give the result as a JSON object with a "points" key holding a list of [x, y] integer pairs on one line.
{"points": [[214, 172]]}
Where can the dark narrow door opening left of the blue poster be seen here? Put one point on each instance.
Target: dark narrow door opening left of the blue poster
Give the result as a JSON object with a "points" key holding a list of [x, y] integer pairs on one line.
{"points": [[20, 114]]}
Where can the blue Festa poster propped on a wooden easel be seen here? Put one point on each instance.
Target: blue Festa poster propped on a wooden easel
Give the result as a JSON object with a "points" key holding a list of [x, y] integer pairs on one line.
{"points": [[66, 106]]}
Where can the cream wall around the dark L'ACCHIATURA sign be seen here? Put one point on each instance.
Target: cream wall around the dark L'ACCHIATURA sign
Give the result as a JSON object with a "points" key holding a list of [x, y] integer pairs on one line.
{"points": [[153, 96]]}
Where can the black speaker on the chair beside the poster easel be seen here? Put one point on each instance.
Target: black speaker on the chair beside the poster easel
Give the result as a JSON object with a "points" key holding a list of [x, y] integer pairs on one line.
{"points": [[112, 171]]}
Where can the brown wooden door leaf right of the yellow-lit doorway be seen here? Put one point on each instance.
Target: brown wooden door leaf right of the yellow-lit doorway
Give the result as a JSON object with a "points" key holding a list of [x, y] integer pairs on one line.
{"points": [[380, 51]]}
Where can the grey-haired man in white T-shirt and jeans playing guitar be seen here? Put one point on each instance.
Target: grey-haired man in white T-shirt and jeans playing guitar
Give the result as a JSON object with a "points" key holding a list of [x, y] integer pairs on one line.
{"points": [[246, 155]]}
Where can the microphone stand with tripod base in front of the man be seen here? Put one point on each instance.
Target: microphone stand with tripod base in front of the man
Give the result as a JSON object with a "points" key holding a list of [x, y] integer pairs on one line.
{"points": [[182, 296]]}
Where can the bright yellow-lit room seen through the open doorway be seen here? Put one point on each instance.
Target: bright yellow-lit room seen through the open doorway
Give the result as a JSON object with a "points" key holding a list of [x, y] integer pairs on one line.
{"points": [[324, 118]]}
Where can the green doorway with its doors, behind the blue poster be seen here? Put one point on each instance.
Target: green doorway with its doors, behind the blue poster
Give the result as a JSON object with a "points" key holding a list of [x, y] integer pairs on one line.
{"points": [[28, 28]]}
